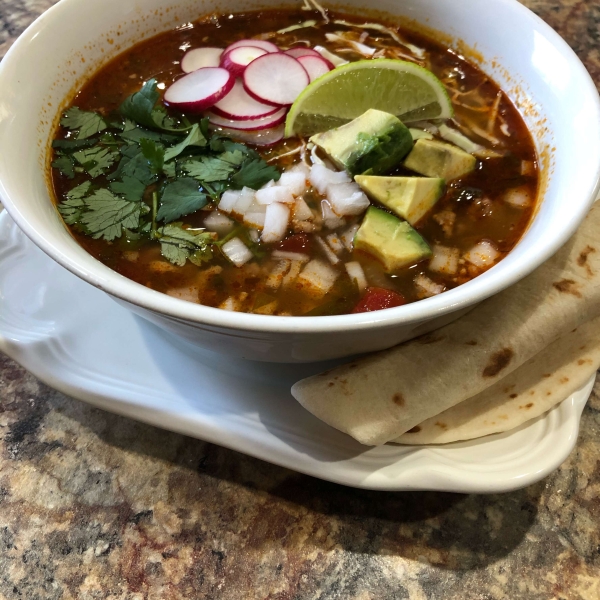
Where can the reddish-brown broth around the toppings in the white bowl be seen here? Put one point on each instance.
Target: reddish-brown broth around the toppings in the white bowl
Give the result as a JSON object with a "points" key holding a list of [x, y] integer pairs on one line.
{"points": [[475, 208]]}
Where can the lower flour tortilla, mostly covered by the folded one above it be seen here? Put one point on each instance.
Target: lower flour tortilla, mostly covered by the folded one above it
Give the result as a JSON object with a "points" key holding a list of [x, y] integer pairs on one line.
{"points": [[528, 392]]}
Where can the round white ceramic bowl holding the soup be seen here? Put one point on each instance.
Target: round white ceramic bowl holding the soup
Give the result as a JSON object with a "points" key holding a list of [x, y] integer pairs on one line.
{"points": [[527, 58]]}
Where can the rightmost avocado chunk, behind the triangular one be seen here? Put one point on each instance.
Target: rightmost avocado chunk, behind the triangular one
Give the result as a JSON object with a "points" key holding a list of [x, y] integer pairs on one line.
{"points": [[437, 159]]}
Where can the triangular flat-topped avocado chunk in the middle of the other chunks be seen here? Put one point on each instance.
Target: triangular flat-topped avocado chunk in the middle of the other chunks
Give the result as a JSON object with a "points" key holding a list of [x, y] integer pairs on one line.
{"points": [[408, 197]]}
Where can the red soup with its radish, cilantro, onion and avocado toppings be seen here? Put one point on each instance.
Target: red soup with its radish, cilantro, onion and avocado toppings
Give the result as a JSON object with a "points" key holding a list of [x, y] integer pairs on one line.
{"points": [[210, 203]]}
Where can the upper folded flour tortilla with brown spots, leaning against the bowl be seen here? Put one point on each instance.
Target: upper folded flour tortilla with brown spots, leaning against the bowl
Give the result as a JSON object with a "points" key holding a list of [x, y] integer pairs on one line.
{"points": [[378, 398]]}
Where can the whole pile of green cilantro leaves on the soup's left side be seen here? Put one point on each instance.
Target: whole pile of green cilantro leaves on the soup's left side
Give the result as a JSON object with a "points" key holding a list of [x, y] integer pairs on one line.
{"points": [[139, 171]]}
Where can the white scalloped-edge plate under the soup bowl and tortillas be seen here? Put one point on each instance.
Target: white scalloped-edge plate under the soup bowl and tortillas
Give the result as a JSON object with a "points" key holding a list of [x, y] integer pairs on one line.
{"points": [[77, 340]]}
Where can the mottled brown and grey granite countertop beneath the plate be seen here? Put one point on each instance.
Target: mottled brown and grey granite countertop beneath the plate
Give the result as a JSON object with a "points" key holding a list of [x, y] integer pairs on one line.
{"points": [[96, 506]]}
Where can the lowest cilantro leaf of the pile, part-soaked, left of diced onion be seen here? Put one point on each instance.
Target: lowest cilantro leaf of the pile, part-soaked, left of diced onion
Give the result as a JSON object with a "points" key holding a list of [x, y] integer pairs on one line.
{"points": [[178, 244]]}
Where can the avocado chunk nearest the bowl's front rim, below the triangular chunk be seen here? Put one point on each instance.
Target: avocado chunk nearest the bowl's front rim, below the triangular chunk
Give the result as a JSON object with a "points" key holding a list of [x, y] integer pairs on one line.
{"points": [[392, 241]]}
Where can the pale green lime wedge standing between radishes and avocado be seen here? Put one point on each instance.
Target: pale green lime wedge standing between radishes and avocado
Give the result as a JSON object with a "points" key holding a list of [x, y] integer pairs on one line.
{"points": [[401, 88]]}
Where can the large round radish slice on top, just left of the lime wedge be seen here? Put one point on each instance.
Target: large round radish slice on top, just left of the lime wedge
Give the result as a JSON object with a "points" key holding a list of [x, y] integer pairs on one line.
{"points": [[275, 79]]}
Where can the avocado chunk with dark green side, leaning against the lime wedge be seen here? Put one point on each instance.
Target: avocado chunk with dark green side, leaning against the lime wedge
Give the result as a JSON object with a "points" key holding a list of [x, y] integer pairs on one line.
{"points": [[373, 143]]}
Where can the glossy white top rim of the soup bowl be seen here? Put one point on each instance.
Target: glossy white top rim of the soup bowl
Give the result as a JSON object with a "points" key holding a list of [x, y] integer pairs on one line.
{"points": [[201, 316]]}
